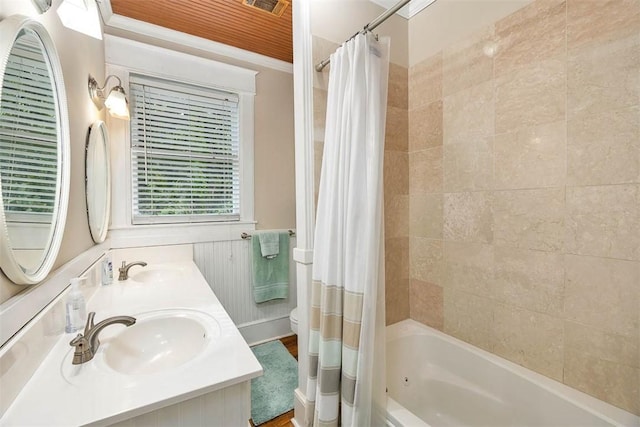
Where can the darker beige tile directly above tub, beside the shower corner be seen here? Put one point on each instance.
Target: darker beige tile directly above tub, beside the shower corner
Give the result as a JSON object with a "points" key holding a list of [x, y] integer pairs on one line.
{"points": [[426, 303]]}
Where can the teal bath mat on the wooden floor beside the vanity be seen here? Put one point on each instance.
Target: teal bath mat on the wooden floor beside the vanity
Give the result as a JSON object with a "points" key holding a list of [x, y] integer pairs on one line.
{"points": [[272, 393]]}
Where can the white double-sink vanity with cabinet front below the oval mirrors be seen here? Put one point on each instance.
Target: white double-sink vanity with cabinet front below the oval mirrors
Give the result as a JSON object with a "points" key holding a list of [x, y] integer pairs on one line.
{"points": [[183, 361]]}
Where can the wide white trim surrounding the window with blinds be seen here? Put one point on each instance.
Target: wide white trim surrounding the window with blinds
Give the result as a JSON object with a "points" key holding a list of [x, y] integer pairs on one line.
{"points": [[126, 57]]}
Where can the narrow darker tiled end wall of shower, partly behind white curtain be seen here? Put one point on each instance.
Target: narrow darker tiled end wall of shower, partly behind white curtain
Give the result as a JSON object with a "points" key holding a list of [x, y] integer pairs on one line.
{"points": [[396, 175]]}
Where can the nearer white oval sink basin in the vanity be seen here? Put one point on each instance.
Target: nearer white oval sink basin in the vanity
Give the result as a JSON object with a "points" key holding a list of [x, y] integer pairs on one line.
{"points": [[160, 341]]}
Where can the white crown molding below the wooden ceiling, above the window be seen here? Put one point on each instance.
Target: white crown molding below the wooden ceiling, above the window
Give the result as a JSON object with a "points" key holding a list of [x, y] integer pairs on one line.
{"points": [[119, 22]]}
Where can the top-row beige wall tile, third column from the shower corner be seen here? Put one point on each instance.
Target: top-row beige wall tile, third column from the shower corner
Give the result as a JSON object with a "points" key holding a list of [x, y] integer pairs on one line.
{"points": [[534, 33]]}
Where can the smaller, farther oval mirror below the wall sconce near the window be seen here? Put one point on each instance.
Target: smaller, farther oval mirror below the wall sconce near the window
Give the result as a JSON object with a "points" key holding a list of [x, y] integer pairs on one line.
{"points": [[98, 181]]}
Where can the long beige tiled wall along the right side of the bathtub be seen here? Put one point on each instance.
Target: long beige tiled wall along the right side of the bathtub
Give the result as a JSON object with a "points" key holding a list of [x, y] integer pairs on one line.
{"points": [[524, 194]]}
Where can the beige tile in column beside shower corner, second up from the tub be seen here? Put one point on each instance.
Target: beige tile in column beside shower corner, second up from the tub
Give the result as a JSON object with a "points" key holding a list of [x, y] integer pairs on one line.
{"points": [[426, 260]]}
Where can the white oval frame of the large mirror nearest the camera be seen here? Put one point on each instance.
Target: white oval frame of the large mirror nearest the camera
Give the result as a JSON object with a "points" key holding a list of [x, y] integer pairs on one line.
{"points": [[9, 30]]}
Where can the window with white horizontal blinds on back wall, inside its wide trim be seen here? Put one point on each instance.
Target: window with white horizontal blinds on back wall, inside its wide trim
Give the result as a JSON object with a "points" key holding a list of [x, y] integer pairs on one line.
{"points": [[184, 153]]}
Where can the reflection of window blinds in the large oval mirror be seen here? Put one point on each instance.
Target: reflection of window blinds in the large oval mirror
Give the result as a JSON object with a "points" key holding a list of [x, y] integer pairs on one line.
{"points": [[28, 134]]}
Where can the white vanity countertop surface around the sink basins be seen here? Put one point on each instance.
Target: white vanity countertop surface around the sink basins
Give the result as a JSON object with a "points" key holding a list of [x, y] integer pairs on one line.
{"points": [[60, 393]]}
